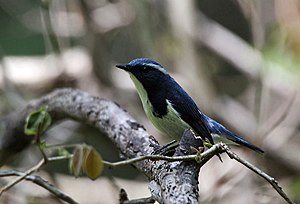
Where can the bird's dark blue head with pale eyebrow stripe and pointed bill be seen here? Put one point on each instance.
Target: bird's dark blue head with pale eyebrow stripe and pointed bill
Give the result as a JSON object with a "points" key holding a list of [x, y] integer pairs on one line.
{"points": [[146, 71]]}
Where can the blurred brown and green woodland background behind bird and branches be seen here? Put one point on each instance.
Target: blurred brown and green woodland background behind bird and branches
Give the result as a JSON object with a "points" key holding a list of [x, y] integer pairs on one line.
{"points": [[239, 59]]}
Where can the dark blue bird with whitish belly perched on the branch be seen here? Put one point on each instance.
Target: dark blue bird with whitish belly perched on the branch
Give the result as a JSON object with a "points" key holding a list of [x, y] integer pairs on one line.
{"points": [[170, 108]]}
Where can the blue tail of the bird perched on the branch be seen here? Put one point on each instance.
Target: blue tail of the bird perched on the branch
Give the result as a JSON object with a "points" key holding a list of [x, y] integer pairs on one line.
{"points": [[218, 129]]}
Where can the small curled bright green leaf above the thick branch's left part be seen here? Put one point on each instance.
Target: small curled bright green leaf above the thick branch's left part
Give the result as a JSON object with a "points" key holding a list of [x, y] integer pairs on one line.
{"points": [[37, 122]]}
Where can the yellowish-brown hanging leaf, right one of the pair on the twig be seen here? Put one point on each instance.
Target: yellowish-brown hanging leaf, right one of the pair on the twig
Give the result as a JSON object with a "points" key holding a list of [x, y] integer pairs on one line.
{"points": [[93, 164]]}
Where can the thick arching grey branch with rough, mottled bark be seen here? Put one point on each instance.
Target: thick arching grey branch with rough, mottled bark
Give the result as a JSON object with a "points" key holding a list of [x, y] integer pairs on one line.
{"points": [[171, 182]]}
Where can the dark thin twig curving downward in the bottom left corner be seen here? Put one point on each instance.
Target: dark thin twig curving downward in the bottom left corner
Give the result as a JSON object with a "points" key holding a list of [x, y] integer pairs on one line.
{"points": [[41, 182]]}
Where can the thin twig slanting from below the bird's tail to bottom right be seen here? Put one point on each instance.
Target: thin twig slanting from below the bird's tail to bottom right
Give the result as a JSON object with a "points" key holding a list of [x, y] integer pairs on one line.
{"points": [[268, 178]]}
